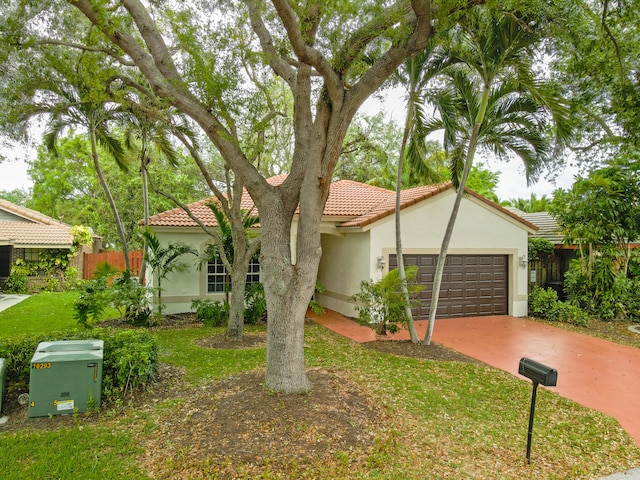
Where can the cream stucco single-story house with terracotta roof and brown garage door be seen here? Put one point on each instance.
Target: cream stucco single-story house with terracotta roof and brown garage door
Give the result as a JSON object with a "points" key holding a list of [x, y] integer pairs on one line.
{"points": [[486, 270]]}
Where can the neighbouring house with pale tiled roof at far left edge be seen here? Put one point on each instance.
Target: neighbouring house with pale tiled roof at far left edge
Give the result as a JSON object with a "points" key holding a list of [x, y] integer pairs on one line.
{"points": [[25, 233]]}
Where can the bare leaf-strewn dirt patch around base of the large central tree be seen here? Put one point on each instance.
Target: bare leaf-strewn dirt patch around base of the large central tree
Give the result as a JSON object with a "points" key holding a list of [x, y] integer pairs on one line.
{"points": [[237, 423]]}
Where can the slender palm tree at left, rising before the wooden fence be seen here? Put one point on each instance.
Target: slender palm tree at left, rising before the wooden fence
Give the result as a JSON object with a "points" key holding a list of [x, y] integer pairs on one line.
{"points": [[76, 108]]}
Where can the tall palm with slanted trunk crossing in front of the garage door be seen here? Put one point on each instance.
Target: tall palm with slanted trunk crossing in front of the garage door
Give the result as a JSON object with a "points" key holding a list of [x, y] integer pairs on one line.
{"points": [[492, 100]]}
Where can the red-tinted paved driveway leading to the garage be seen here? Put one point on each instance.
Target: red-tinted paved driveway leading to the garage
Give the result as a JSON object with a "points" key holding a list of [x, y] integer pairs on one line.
{"points": [[596, 373]]}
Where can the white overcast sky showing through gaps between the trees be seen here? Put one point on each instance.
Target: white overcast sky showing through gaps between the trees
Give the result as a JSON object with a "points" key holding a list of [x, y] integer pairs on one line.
{"points": [[512, 184]]}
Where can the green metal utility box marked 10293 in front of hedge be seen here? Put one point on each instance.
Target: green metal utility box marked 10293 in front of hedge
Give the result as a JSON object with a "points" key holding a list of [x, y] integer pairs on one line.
{"points": [[66, 377]]}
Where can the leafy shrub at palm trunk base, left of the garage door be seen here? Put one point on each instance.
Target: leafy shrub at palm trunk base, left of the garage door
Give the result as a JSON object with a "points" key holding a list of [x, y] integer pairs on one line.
{"points": [[380, 304]]}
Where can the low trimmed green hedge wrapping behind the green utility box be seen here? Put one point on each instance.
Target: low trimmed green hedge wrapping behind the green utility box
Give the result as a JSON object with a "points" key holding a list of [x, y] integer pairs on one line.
{"points": [[130, 358]]}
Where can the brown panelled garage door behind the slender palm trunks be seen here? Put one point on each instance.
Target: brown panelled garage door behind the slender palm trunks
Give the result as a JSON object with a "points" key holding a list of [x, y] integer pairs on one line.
{"points": [[472, 285]]}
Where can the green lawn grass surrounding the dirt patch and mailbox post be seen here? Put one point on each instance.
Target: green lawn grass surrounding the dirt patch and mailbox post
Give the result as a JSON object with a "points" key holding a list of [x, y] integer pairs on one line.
{"points": [[442, 419]]}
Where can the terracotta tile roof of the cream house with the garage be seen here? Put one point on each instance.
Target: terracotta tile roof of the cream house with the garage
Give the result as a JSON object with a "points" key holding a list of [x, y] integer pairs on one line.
{"points": [[350, 204]]}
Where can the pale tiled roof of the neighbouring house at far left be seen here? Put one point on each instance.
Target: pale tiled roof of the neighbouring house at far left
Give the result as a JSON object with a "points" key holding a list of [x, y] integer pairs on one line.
{"points": [[22, 227]]}
